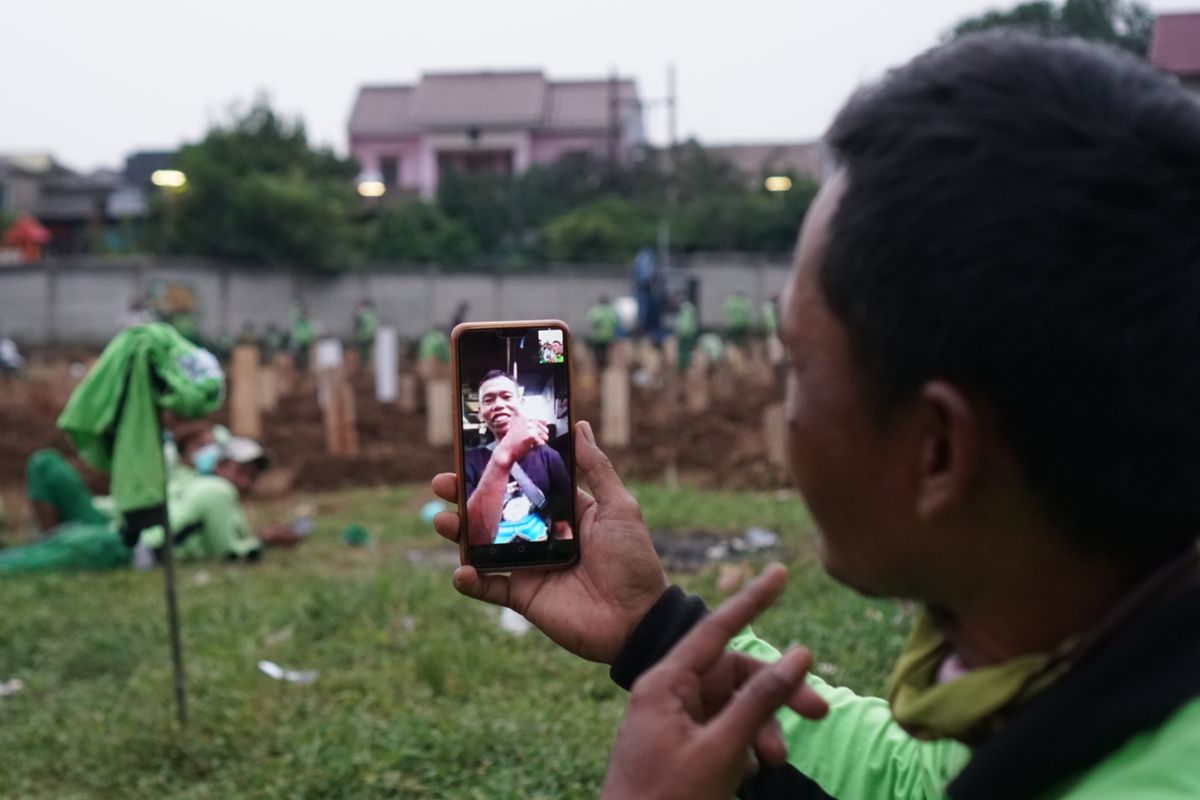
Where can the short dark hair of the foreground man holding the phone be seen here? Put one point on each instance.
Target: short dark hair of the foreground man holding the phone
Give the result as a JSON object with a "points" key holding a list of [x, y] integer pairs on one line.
{"points": [[1023, 219]]}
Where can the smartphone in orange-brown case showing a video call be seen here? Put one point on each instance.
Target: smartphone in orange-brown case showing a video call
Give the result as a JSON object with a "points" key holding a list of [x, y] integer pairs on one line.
{"points": [[515, 455]]}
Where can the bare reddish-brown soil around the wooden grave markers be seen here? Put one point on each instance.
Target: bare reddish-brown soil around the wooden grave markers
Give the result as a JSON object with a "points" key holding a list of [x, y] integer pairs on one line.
{"points": [[723, 447]]}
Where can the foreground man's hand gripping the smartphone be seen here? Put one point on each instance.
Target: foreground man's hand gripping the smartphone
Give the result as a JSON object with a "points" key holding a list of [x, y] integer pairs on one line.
{"points": [[592, 607]]}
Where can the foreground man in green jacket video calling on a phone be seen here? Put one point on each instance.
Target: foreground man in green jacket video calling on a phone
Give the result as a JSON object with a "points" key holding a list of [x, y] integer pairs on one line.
{"points": [[992, 413]]}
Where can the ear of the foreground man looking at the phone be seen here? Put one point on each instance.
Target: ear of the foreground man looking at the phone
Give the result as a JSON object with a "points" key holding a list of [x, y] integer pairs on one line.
{"points": [[950, 448]]}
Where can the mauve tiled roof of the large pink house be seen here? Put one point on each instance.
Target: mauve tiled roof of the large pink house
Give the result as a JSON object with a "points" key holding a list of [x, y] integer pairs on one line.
{"points": [[465, 100]]}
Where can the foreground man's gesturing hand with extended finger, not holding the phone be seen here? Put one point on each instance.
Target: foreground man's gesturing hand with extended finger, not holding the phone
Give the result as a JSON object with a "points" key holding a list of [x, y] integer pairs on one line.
{"points": [[693, 719]]}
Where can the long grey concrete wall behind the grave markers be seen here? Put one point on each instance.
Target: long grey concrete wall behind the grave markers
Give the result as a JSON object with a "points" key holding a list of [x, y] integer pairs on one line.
{"points": [[82, 302]]}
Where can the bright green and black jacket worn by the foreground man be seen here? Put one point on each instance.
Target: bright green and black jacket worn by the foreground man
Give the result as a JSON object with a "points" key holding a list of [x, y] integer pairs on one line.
{"points": [[1124, 723]]}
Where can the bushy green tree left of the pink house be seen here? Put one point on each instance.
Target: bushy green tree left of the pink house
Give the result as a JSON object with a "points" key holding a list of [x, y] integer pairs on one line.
{"points": [[257, 194]]}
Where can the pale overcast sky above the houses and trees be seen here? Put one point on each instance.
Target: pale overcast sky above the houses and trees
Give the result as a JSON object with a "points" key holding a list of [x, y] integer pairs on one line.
{"points": [[92, 82]]}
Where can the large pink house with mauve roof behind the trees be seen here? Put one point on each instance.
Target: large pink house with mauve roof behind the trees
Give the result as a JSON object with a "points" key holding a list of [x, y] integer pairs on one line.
{"points": [[497, 122]]}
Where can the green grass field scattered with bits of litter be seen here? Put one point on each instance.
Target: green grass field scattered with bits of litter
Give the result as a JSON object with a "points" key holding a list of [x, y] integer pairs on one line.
{"points": [[422, 694]]}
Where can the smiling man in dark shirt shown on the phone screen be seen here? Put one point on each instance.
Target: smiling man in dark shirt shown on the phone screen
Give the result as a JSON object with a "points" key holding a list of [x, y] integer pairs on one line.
{"points": [[518, 486]]}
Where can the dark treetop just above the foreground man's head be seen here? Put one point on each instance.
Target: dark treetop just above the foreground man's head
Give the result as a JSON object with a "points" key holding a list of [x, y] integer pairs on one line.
{"points": [[1123, 23]]}
